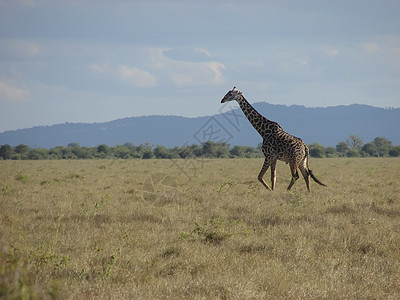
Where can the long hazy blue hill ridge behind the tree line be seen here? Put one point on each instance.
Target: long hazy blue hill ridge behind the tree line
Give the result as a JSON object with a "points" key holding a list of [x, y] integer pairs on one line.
{"points": [[327, 126]]}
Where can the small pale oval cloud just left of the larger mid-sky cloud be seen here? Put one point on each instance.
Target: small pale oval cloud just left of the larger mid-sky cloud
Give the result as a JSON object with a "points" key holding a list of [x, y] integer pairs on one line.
{"points": [[137, 77]]}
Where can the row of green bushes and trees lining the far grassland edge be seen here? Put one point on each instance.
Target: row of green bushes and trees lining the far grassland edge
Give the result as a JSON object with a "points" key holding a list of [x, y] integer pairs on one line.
{"points": [[380, 146]]}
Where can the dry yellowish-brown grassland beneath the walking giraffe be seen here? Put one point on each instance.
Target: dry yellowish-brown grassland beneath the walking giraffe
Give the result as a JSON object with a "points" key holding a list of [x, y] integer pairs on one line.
{"points": [[141, 229]]}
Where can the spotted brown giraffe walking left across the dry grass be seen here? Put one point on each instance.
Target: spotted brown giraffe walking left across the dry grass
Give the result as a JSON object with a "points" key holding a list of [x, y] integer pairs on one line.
{"points": [[277, 144]]}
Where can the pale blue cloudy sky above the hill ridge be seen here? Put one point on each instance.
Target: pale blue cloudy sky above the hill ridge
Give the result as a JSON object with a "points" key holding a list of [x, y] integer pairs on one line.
{"points": [[95, 61]]}
